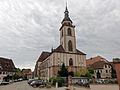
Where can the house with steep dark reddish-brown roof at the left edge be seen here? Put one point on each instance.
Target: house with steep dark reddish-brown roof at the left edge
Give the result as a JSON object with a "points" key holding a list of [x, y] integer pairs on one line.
{"points": [[7, 67]]}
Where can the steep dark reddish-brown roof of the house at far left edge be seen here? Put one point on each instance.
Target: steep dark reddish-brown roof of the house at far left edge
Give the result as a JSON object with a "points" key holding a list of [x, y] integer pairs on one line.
{"points": [[7, 65]]}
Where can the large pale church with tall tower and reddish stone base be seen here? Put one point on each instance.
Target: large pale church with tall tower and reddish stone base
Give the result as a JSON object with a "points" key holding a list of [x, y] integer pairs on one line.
{"points": [[49, 63]]}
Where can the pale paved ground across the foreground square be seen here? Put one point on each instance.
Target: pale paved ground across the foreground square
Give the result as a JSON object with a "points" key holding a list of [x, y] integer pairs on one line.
{"points": [[24, 86]]}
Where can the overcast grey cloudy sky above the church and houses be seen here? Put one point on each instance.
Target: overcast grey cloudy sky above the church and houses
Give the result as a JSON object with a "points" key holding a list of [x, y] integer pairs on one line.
{"points": [[28, 27]]}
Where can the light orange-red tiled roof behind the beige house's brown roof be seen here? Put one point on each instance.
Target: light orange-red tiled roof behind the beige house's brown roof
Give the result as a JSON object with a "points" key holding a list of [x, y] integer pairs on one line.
{"points": [[95, 59]]}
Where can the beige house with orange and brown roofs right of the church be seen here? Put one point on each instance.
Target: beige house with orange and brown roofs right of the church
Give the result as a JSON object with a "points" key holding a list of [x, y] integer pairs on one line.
{"points": [[102, 67]]}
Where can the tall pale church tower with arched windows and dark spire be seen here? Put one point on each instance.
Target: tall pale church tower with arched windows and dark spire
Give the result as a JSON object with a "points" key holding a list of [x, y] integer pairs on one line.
{"points": [[67, 34]]}
